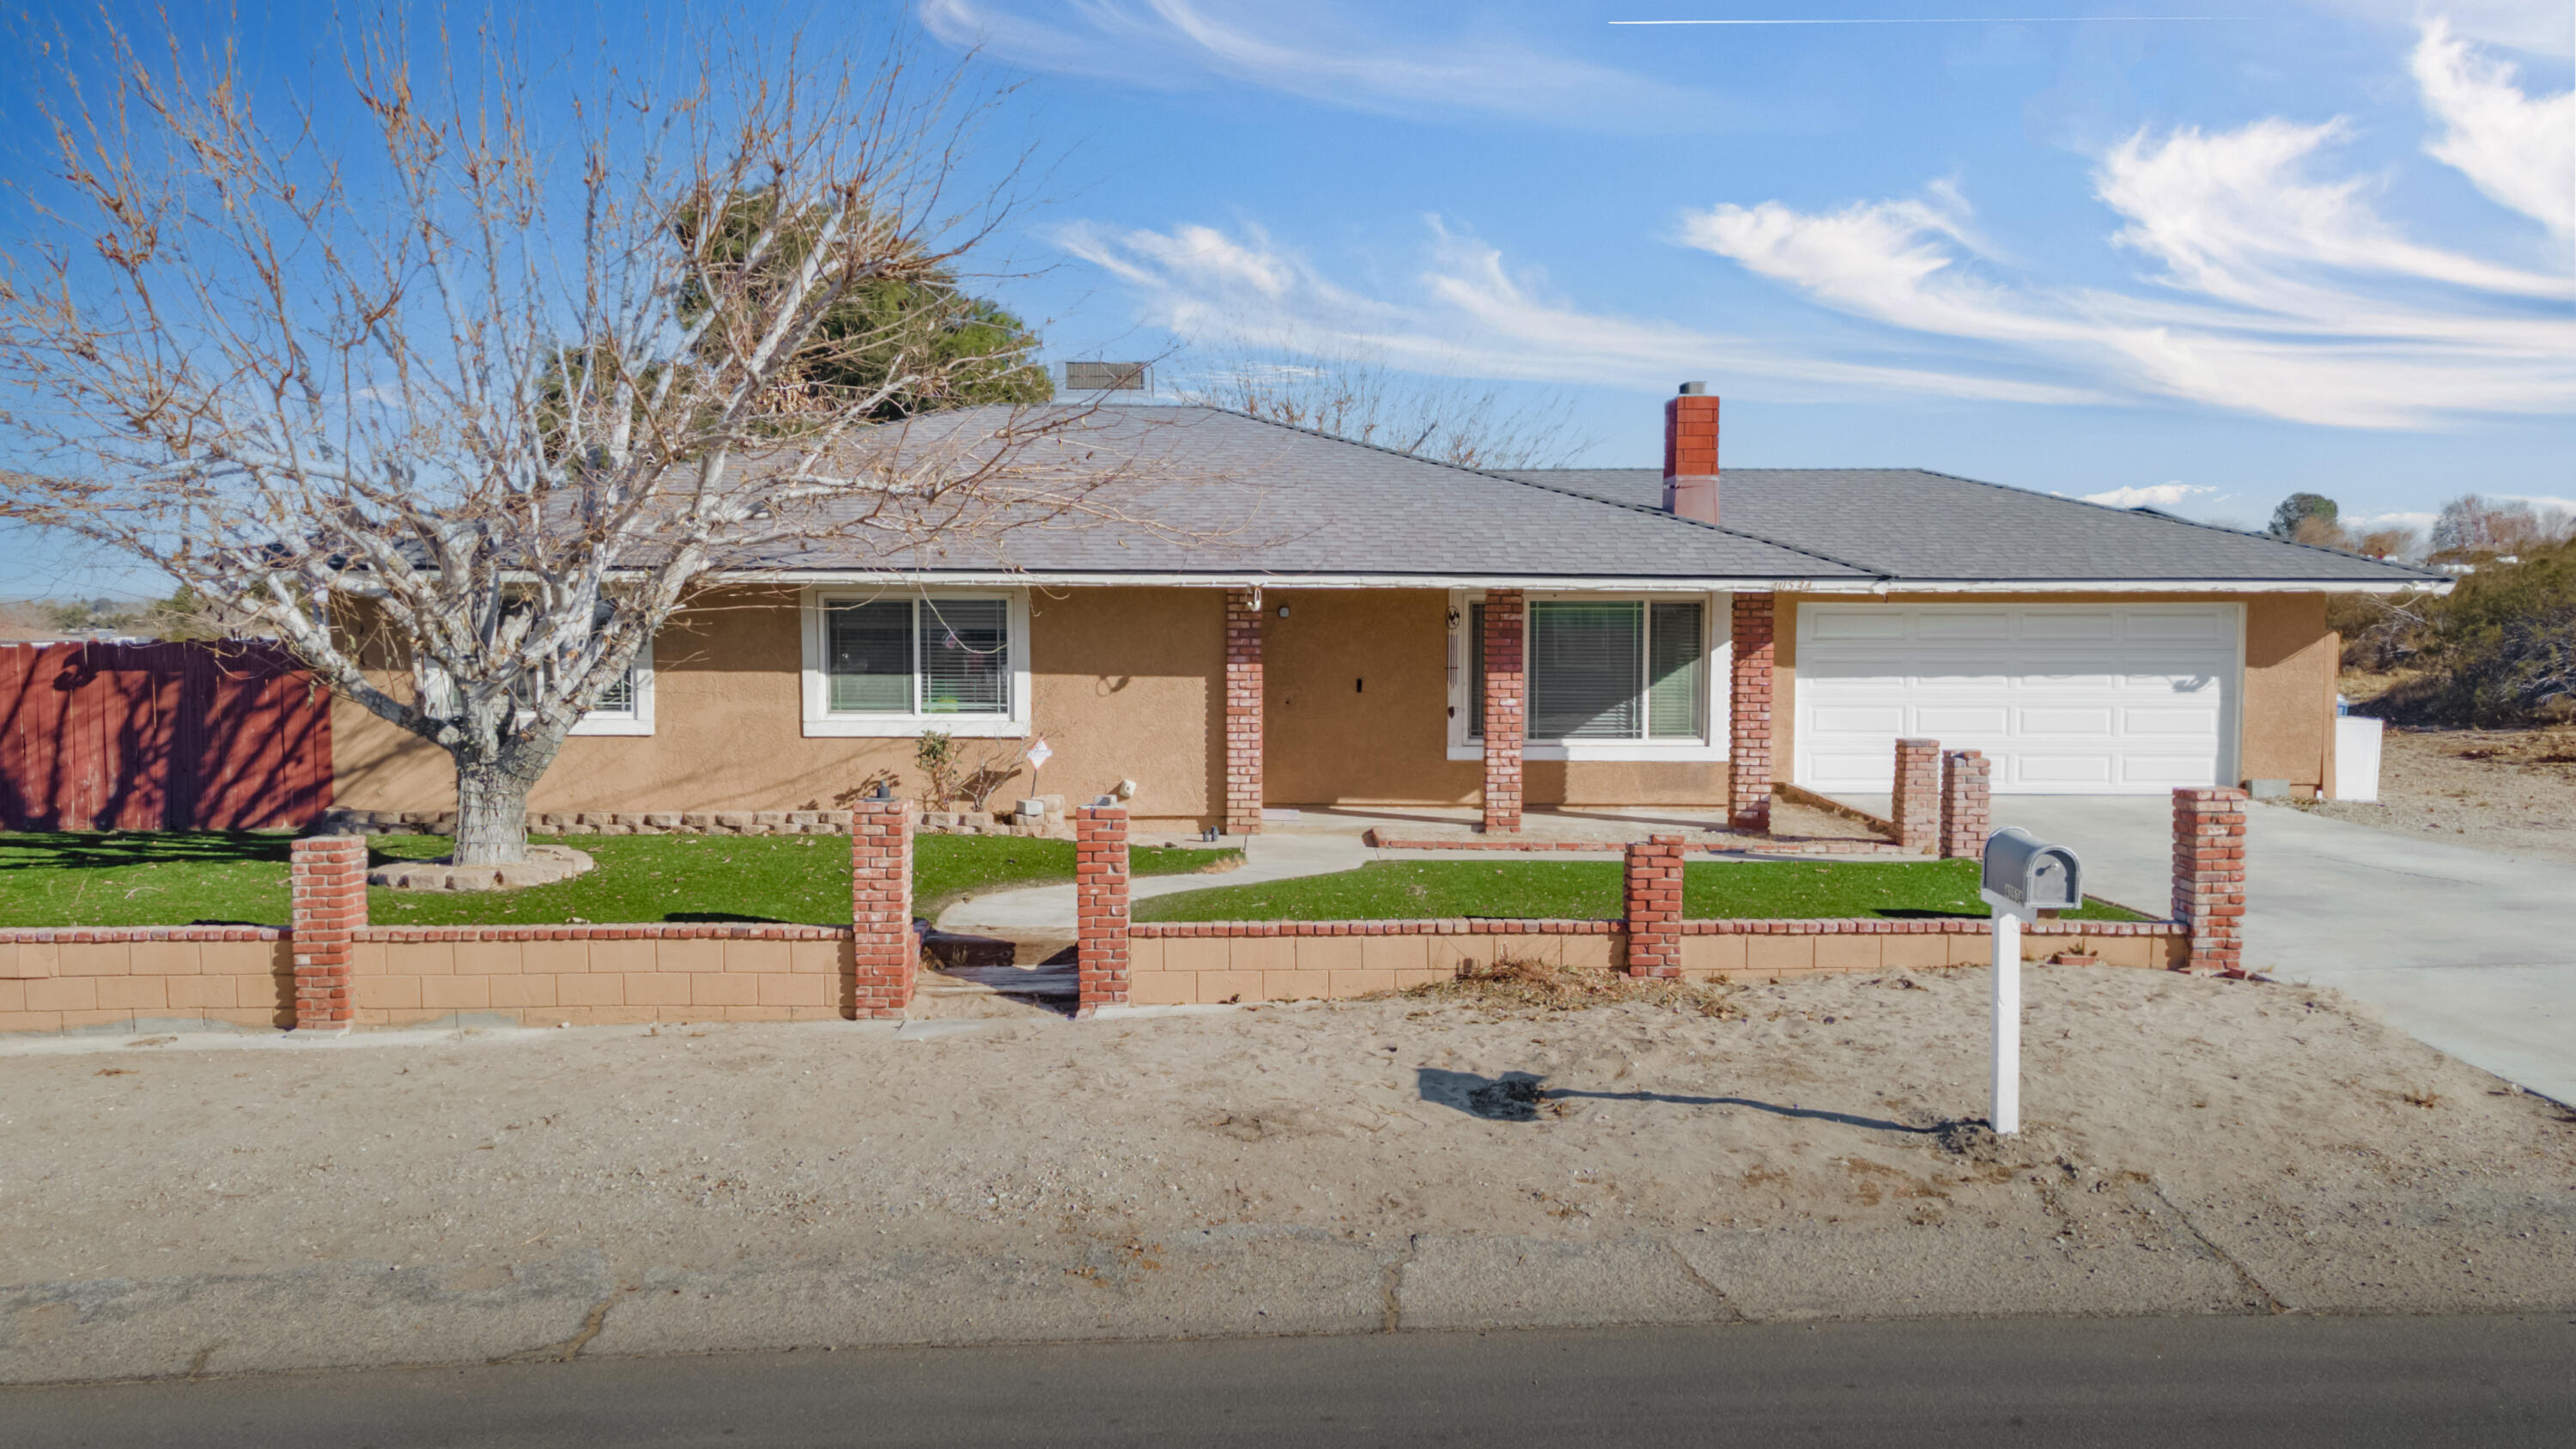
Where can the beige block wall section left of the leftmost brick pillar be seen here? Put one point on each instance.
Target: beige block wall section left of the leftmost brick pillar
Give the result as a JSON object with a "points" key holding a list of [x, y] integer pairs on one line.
{"points": [[66, 986]]}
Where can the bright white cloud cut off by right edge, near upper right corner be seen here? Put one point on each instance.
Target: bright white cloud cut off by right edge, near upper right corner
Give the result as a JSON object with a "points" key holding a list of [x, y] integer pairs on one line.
{"points": [[2515, 148]]}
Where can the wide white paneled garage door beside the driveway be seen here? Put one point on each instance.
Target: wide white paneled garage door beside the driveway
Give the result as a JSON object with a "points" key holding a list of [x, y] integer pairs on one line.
{"points": [[2062, 697]]}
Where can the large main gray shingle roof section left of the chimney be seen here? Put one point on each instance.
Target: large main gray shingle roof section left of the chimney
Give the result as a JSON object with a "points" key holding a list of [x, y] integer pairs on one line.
{"points": [[1227, 496]]}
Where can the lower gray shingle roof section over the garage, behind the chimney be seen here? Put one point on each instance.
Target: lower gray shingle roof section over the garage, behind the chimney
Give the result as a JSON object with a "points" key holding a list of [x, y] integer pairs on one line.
{"points": [[1931, 527]]}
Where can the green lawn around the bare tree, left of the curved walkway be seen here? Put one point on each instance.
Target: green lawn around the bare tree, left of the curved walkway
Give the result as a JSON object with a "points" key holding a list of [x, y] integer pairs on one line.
{"points": [[184, 878]]}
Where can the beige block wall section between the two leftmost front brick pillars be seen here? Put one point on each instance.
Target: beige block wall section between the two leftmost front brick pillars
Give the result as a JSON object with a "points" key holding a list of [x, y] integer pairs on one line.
{"points": [[601, 984]]}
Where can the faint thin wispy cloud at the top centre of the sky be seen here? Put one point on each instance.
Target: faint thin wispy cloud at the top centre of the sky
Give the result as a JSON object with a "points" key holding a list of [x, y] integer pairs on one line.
{"points": [[1320, 53]]}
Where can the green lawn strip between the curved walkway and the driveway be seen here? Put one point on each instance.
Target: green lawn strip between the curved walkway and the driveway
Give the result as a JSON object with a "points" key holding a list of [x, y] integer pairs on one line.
{"points": [[1591, 891]]}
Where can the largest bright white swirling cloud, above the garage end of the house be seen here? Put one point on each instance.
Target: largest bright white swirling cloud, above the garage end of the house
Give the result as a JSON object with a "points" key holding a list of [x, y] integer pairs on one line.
{"points": [[2276, 290]]}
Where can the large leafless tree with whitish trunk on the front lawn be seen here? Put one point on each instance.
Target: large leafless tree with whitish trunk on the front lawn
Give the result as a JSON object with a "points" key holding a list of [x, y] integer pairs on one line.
{"points": [[501, 357]]}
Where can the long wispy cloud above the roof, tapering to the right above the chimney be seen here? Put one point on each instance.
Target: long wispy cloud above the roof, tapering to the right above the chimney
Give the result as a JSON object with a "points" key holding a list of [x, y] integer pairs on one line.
{"points": [[1467, 313]]}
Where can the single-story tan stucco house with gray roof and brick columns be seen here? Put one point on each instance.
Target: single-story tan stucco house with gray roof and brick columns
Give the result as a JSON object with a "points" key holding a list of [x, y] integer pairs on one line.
{"points": [[1292, 620]]}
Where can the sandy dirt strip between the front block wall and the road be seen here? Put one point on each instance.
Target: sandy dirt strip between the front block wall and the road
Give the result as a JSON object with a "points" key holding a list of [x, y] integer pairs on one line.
{"points": [[2193, 1146]]}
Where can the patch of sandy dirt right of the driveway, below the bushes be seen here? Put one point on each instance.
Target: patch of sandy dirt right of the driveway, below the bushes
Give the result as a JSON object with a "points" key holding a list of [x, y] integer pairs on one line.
{"points": [[2500, 790]]}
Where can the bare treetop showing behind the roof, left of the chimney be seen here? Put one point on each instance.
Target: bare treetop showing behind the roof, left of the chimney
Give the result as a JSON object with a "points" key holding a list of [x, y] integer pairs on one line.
{"points": [[1354, 396]]}
